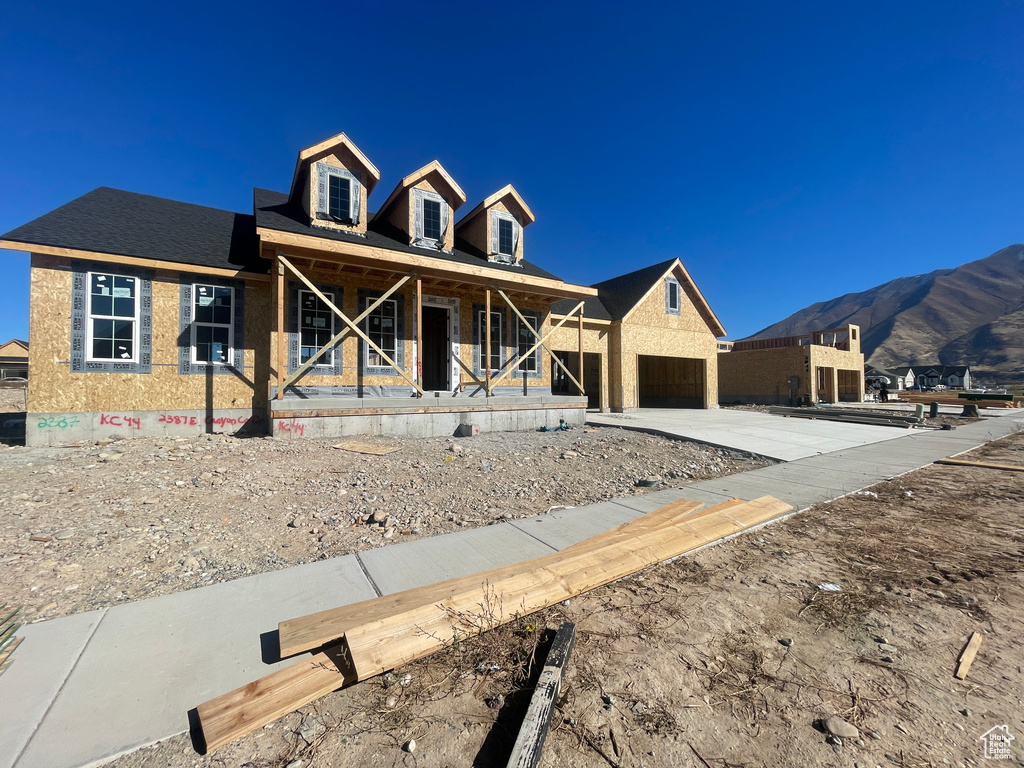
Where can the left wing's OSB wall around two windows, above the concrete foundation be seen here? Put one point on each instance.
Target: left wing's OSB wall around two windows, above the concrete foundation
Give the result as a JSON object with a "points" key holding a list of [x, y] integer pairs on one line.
{"points": [[54, 389]]}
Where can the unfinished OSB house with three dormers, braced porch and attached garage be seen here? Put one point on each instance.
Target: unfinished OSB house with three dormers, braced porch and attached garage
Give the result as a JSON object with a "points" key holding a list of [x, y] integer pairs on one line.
{"points": [[312, 317]]}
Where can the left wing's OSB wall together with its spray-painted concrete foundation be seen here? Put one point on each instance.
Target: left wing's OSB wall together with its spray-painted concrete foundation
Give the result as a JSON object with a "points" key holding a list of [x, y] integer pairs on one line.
{"points": [[118, 400]]}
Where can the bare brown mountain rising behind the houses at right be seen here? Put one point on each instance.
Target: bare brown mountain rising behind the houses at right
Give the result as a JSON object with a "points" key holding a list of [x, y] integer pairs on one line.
{"points": [[973, 315]]}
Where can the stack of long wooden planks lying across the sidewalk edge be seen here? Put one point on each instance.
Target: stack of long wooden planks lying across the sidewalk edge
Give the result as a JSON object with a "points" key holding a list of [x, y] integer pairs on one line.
{"points": [[364, 639]]}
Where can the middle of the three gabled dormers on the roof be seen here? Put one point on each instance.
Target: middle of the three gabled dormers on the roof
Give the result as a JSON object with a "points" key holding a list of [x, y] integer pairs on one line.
{"points": [[422, 207]]}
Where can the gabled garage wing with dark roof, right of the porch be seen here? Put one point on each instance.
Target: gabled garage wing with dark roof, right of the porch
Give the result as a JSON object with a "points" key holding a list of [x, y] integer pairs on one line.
{"points": [[651, 340]]}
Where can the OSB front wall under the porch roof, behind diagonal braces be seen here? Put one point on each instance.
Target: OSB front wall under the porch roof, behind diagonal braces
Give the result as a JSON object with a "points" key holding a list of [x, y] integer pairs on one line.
{"points": [[351, 286]]}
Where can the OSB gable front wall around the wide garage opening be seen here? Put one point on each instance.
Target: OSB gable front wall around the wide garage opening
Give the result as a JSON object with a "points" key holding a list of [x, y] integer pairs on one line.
{"points": [[651, 330]]}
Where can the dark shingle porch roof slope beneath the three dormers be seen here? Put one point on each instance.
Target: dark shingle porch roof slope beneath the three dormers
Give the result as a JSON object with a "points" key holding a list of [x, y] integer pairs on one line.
{"points": [[274, 211]]}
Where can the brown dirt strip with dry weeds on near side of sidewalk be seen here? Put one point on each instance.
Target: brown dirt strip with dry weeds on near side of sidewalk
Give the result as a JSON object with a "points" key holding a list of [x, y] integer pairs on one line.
{"points": [[731, 658]]}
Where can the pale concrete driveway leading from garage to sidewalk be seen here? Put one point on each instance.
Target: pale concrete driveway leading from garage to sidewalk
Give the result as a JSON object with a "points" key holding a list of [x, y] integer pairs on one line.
{"points": [[773, 437]]}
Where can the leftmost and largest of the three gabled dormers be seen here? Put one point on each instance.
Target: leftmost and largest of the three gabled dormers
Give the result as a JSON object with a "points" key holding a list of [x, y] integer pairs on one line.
{"points": [[332, 183]]}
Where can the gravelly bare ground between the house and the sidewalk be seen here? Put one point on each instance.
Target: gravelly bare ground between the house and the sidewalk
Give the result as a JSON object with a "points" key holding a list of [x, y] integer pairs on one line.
{"points": [[93, 525]]}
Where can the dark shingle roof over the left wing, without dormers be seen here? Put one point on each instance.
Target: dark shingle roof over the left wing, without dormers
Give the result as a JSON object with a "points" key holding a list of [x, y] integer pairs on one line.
{"points": [[125, 224]]}
